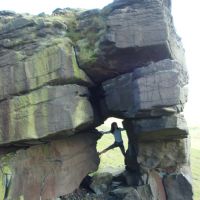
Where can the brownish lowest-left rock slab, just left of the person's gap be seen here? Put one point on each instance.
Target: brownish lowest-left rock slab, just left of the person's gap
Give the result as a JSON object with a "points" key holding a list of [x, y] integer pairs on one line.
{"points": [[51, 170]]}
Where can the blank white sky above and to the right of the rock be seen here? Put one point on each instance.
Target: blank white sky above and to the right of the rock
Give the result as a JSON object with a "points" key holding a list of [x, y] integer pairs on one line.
{"points": [[186, 17]]}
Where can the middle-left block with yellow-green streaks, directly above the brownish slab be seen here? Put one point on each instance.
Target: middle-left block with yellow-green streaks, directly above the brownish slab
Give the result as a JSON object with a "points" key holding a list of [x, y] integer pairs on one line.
{"points": [[49, 111]]}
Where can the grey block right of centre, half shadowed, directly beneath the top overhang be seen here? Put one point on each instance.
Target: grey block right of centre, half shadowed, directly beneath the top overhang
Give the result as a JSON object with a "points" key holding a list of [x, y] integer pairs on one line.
{"points": [[153, 90]]}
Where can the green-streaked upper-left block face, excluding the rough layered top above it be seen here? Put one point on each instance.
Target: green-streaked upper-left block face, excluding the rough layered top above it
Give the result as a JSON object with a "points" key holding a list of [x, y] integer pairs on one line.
{"points": [[51, 65]]}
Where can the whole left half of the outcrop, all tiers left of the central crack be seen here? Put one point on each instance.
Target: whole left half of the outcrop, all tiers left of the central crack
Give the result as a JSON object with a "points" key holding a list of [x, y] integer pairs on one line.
{"points": [[44, 101]]}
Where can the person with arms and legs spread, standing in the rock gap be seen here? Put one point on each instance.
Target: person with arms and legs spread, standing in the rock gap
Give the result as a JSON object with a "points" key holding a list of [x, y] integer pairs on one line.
{"points": [[116, 131]]}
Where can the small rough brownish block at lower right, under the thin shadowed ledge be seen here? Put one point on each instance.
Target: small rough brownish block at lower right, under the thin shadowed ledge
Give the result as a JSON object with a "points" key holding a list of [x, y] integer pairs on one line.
{"points": [[163, 154]]}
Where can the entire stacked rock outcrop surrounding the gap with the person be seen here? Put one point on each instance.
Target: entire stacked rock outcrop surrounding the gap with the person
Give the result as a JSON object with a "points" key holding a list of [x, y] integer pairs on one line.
{"points": [[61, 75]]}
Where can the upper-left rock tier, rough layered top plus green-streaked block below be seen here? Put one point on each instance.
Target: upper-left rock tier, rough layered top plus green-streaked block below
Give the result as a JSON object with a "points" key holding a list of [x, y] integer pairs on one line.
{"points": [[29, 60]]}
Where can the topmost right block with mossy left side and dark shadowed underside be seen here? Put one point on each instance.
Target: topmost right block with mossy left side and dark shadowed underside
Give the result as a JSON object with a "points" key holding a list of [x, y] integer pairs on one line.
{"points": [[128, 34]]}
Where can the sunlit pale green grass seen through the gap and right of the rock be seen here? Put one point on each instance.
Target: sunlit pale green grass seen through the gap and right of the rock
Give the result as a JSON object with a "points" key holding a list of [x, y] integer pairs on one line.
{"points": [[113, 160]]}
